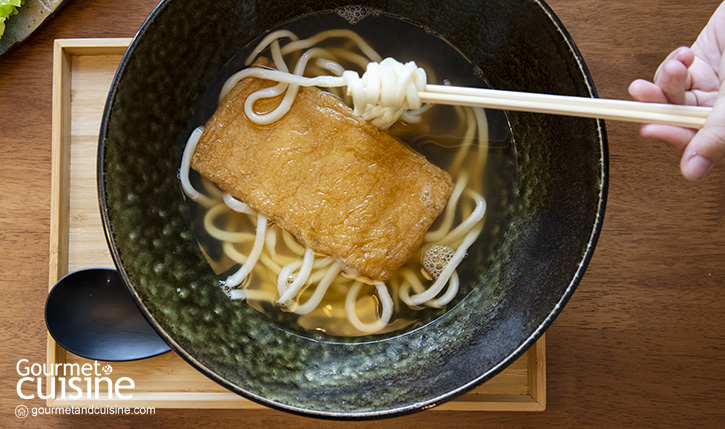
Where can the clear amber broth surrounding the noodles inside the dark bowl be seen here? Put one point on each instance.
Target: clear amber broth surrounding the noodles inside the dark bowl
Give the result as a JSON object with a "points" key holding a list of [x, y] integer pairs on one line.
{"points": [[437, 137]]}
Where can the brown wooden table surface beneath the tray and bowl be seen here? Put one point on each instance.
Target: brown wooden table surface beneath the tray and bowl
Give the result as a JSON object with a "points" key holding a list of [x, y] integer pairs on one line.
{"points": [[641, 342]]}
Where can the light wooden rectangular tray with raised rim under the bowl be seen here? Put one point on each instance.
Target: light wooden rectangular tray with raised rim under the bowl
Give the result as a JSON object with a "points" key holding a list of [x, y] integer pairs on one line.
{"points": [[82, 73]]}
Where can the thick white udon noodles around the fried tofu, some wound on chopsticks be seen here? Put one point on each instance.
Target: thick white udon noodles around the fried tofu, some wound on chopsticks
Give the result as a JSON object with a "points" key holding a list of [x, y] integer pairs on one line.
{"points": [[272, 266]]}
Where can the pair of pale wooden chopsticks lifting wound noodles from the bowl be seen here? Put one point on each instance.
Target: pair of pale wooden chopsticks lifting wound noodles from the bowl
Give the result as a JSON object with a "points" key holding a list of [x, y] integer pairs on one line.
{"points": [[621, 110]]}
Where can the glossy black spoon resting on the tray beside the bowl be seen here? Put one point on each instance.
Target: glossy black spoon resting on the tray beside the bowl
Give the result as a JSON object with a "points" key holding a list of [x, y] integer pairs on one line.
{"points": [[91, 314]]}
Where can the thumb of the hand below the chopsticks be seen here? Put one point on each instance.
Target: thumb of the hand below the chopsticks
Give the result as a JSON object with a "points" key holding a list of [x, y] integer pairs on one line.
{"points": [[707, 147]]}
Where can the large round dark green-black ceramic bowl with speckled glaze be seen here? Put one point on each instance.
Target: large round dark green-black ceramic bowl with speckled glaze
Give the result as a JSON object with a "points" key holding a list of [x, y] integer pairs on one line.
{"points": [[553, 217]]}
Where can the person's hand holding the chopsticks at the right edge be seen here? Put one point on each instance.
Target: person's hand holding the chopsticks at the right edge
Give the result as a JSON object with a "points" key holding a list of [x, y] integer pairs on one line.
{"points": [[693, 76]]}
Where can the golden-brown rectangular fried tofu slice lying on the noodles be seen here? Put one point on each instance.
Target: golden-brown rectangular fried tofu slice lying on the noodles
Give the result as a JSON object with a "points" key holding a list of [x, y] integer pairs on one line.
{"points": [[334, 181]]}
